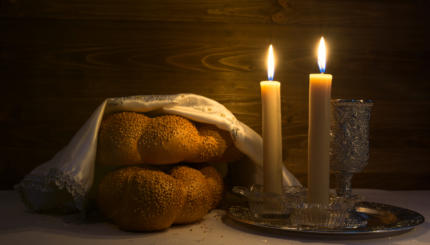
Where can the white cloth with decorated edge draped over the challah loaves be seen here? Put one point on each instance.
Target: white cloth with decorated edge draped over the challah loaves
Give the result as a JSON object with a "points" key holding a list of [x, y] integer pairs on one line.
{"points": [[63, 182]]}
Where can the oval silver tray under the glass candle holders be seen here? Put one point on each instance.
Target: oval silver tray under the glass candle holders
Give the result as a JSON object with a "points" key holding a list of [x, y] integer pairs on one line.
{"points": [[382, 220]]}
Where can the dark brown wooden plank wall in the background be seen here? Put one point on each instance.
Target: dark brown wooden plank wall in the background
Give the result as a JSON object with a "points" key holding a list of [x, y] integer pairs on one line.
{"points": [[59, 59]]}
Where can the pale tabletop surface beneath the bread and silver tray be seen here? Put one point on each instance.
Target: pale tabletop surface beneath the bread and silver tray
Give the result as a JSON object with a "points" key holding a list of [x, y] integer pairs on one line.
{"points": [[19, 226]]}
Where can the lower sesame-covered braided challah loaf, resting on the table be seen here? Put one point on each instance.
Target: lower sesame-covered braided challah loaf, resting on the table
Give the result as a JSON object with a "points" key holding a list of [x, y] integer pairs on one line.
{"points": [[147, 199]]}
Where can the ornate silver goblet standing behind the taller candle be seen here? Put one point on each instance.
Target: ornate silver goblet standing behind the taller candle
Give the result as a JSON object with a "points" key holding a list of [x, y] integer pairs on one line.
{"points": [[349, 145]]}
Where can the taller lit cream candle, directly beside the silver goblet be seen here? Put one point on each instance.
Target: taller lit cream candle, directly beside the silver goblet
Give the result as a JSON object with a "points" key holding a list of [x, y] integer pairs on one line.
{"points": [[319, 129]]}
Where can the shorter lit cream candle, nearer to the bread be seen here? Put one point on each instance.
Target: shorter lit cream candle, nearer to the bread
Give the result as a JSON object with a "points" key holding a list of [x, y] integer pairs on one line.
{"points": [[272, 135]]}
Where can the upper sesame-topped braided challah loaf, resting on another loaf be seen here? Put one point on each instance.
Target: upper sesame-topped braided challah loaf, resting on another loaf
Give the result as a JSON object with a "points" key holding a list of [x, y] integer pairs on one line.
{"points": [[128, 138]]}
